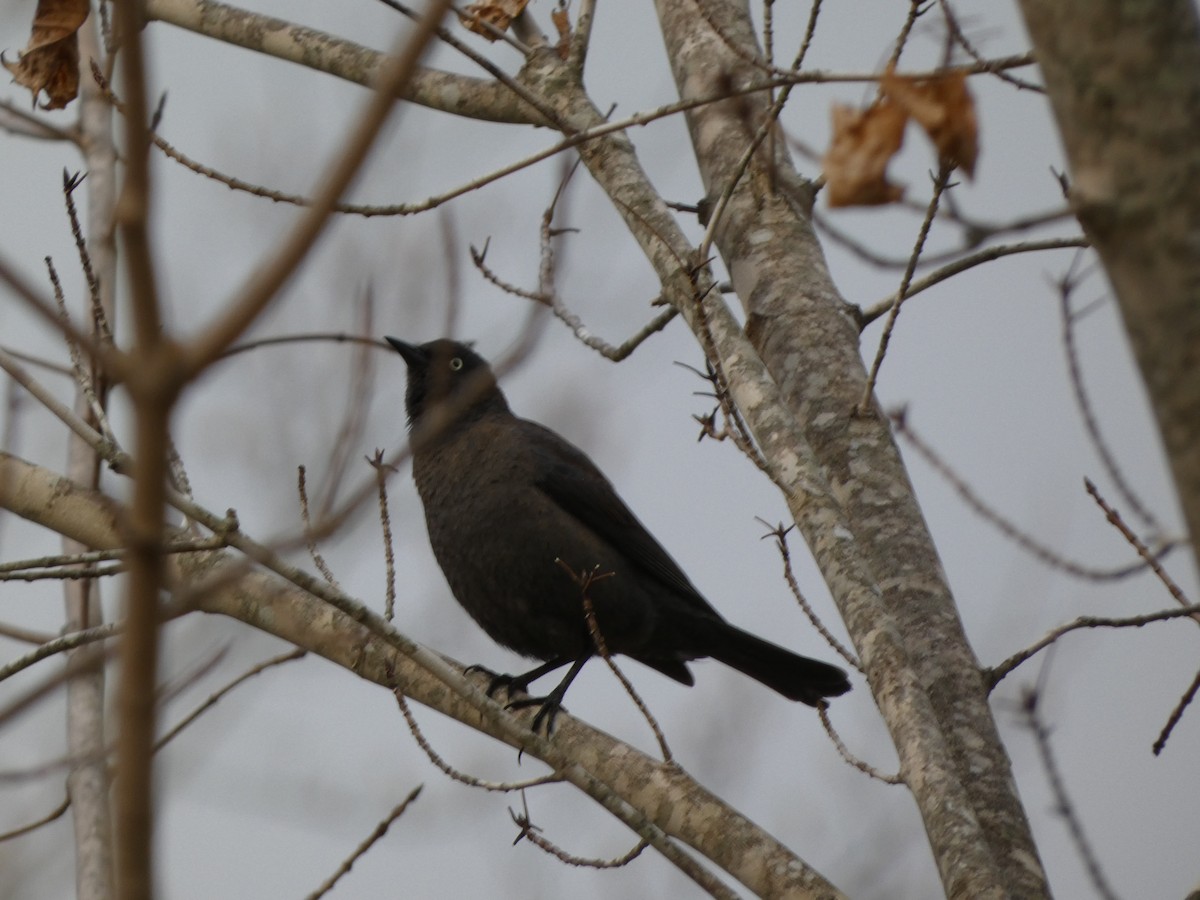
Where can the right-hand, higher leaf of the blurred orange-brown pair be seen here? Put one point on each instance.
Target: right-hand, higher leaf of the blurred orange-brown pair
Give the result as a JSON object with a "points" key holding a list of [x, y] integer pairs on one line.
{"points": [[944, 107]]}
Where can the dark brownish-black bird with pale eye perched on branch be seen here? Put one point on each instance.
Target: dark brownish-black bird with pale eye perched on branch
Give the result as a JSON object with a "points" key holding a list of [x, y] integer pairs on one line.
{"points": [[518, 517]]}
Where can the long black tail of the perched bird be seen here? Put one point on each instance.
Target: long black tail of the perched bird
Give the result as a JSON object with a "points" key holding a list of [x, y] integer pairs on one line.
{"points": [[796, 677]]}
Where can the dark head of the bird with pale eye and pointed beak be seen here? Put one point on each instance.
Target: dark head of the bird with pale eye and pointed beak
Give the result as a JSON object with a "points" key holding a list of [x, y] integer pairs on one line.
{"points": [[447, 373]]}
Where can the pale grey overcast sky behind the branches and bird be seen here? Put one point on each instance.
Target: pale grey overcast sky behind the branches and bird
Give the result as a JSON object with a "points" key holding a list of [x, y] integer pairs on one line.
{"points": [[273, 789]]}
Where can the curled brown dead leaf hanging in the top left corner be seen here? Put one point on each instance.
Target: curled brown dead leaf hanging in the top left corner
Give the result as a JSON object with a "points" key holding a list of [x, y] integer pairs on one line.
{"points": [[51, 61]]}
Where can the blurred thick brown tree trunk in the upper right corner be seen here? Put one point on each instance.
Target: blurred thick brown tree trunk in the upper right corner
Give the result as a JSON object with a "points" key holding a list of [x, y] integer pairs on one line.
{"points": [[1124, 79]]}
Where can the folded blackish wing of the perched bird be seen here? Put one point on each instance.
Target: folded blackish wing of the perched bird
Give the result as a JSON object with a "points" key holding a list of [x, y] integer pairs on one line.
{"points": [[574, 483]]}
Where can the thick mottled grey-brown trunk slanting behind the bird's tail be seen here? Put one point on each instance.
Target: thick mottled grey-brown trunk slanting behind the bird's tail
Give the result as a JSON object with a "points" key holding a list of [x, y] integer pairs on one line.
{"points": [[922, 669]]}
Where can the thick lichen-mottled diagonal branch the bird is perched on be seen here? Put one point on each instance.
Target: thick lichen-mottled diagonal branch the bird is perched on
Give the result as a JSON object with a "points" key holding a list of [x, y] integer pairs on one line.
{"points": [[623, 781]]}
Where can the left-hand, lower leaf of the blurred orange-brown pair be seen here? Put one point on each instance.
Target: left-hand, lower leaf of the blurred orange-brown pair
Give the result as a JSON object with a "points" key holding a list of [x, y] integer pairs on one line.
{"points": [[865, 141]]}
